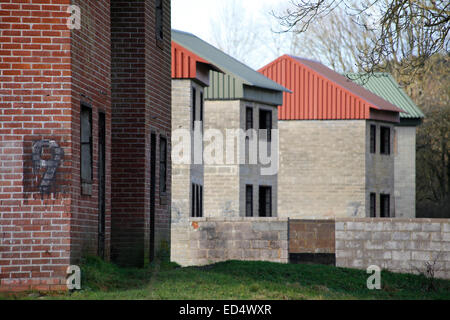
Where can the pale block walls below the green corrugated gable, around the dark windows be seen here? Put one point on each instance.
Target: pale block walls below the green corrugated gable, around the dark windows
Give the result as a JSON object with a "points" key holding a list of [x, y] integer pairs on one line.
{"points": [[224, 194]]}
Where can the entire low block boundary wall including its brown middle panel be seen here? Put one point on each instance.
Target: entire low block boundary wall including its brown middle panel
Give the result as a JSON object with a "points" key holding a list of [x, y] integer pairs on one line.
{"points": [[398, 245]]}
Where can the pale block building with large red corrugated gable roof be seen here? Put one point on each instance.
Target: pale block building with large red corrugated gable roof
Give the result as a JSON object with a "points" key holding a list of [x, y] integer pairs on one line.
{"points": [[336, 144]]}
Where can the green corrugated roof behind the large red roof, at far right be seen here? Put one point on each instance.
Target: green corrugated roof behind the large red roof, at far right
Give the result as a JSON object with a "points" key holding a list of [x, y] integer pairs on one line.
{"points": [[385, 86]]}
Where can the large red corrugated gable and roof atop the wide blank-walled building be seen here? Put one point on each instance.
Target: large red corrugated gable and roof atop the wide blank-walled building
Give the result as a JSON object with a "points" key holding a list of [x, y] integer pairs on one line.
{"points": [[319, 93]]}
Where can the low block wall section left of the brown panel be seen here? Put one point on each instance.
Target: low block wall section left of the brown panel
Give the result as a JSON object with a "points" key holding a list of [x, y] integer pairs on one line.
{"points": [[201, 241]]}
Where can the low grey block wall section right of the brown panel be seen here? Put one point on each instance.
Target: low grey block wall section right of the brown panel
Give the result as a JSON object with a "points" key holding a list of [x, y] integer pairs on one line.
{"points": [[398, 245]]}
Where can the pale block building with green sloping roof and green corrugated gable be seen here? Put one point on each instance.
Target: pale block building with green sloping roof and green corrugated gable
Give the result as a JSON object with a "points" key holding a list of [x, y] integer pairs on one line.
{"points": [[237, 98]]}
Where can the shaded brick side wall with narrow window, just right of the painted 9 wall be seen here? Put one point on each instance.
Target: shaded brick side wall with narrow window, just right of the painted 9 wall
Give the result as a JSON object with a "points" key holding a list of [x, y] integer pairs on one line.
{"points": [[91, 85]]}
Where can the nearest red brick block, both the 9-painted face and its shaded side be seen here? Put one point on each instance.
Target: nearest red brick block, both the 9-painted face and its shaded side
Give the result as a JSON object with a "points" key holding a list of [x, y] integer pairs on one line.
{"points": [[46, 71]]}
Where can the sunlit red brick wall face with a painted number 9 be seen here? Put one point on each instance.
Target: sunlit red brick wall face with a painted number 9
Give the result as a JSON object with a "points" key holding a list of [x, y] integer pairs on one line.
{"points": [[35, 104]]}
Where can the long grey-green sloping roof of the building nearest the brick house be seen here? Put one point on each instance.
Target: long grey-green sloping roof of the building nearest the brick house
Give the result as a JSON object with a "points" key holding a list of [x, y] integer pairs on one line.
{"points": [[228, 64]]}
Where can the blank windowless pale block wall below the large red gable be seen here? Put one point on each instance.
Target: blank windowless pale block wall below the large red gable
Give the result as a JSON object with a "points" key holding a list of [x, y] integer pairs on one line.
{"points": [[322, 169]]}
